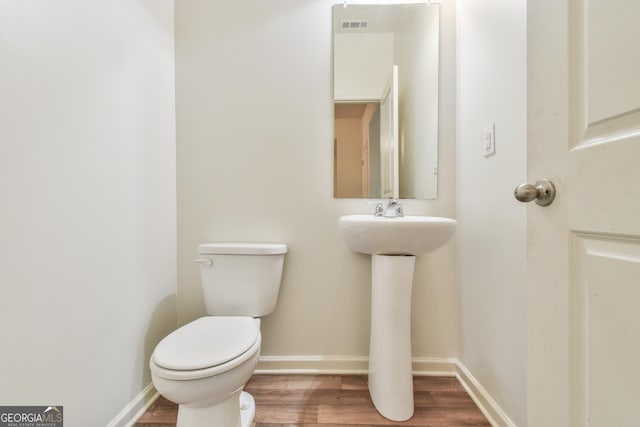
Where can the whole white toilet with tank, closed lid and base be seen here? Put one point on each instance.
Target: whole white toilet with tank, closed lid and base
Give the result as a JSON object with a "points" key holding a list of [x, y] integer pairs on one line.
{"points": [[204, 365]]}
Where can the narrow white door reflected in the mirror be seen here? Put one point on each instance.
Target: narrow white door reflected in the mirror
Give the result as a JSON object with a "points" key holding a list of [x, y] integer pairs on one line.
{"points": [[389, 137]]}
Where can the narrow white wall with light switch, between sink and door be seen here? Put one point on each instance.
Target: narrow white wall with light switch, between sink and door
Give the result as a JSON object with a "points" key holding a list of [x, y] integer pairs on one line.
{"points": [[492, 233]]}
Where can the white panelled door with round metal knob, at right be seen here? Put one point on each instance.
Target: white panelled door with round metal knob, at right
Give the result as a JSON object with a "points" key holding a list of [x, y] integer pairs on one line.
{"points": [[584, 249]]}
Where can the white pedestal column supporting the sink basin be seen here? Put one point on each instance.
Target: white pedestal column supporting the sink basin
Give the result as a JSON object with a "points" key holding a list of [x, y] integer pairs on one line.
{"points": [[390, 370]]}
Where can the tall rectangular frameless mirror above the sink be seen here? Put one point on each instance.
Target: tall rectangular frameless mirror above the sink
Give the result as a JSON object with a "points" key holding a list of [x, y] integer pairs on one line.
{"points": [[385, 61]]}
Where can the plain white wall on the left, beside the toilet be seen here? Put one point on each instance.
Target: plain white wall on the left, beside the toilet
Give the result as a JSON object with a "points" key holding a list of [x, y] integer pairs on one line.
{"points": [[87, 182]]}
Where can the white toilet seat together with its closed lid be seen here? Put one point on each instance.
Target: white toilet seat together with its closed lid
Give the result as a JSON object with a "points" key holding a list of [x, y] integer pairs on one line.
{"points": [[205, 347]]}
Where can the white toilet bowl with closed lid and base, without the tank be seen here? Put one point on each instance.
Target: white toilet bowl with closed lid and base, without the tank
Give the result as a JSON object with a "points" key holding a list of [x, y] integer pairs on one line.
{"points": [[204, 365]]}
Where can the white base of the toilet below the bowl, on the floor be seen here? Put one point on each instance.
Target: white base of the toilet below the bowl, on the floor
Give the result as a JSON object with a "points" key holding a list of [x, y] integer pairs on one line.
{"points": [[236, 411]]}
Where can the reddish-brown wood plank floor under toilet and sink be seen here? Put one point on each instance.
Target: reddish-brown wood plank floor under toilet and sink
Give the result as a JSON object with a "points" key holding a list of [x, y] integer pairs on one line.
{"points": [[333, 400]]}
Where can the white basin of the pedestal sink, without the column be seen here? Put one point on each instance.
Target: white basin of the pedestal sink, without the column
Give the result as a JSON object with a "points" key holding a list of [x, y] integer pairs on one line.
{"points": [[408, 235]]}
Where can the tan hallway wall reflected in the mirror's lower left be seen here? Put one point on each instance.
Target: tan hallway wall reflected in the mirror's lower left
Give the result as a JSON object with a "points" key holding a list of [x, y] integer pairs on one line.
{"points": [[348, 135]]}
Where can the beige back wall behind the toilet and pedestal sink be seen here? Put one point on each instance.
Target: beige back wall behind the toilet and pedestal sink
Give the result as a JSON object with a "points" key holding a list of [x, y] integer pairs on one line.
{"points": [[255, 163]]}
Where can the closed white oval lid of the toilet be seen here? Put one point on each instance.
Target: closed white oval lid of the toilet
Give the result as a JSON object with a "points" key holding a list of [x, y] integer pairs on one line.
{"points": [[206, 342]]}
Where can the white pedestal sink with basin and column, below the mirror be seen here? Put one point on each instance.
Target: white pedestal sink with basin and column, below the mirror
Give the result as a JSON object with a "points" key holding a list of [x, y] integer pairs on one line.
{"points": [[393, 244]]}
